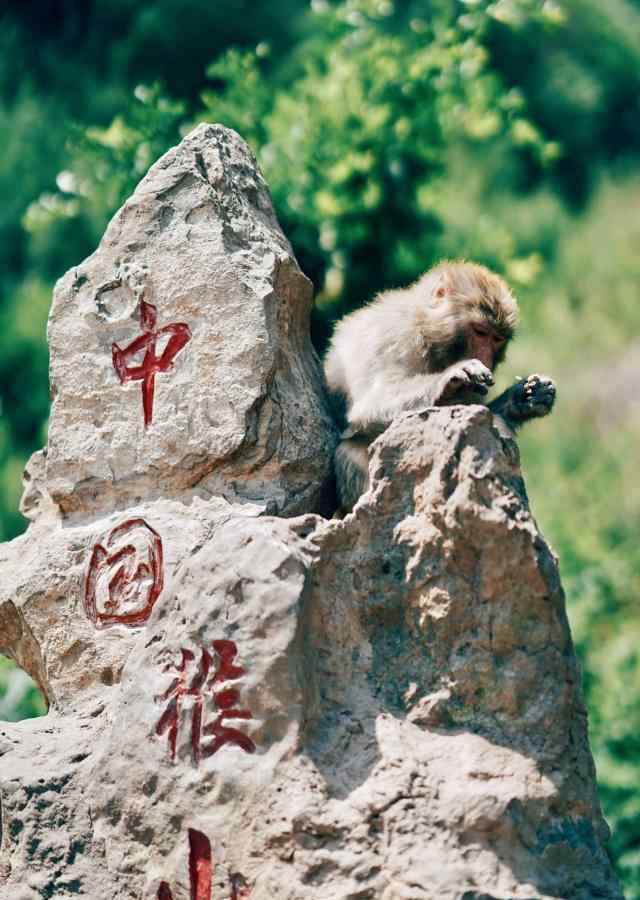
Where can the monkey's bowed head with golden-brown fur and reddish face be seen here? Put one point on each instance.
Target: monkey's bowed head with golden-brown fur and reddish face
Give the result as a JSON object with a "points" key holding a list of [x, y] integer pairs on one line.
{"points": [[472, 314]]}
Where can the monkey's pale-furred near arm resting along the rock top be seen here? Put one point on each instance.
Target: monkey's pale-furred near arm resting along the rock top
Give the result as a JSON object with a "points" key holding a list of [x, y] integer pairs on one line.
{"points": [[465, 381]]}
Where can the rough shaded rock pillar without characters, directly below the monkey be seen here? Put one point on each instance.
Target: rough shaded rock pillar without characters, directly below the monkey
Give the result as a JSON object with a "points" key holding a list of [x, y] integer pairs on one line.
{"points": [[451, 737]]}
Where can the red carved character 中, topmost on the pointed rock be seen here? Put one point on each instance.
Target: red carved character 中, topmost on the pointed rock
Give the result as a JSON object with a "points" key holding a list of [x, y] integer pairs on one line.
{"points": [[180, 334]]}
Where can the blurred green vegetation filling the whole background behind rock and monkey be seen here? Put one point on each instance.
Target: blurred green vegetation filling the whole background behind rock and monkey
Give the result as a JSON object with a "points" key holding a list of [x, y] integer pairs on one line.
{"points": [[391, 134]]}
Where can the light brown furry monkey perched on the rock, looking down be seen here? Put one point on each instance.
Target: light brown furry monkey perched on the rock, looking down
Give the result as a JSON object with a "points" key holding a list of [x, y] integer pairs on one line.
{"points": [[434, 343]]}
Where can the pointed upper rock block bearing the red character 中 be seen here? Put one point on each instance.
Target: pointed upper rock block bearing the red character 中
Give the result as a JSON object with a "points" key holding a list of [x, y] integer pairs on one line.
{"points": [[181, 364]]}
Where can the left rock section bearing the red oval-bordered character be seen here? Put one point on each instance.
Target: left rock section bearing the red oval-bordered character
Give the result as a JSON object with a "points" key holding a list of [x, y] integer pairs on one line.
{"points": [[54, 591]]}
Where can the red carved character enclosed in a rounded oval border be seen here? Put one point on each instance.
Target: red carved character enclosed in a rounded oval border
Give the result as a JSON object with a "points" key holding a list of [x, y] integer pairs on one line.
{"points": [[125, 575]]}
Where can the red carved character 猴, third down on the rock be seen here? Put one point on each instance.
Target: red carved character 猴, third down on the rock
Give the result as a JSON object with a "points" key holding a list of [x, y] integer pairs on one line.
{"points": [[201, 680]]}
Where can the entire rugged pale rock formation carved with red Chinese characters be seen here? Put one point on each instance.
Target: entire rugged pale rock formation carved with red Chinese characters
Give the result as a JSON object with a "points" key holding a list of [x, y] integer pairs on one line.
{"points": [[249, 700]]}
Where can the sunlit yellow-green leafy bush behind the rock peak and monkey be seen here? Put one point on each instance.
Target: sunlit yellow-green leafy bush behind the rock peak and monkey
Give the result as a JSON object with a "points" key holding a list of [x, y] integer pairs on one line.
{"points": [[355, 139]]}
